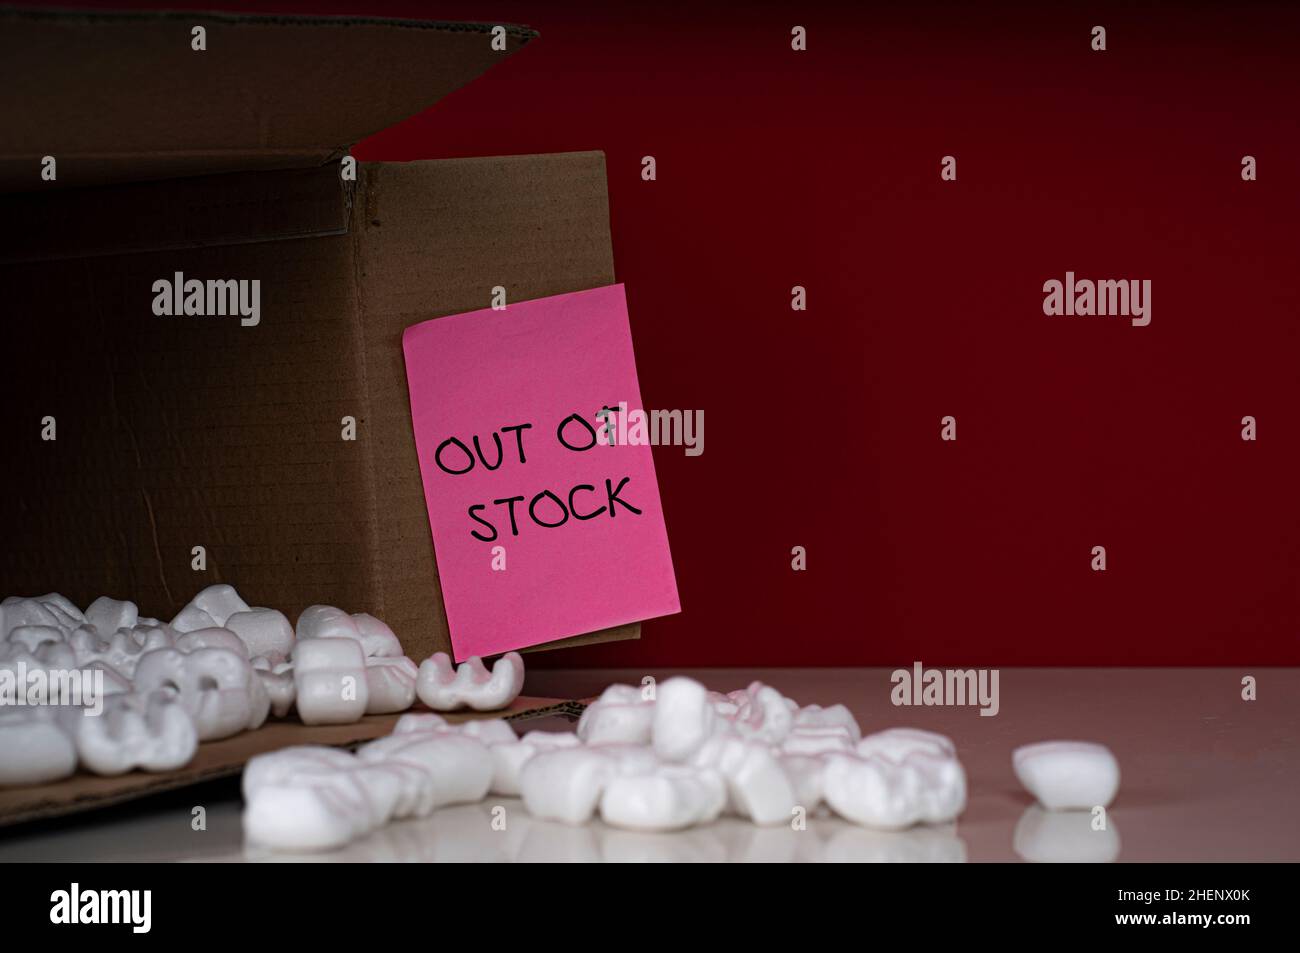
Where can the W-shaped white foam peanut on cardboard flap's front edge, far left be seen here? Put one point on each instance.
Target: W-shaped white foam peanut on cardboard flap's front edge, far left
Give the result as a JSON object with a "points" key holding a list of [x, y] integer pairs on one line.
{"points": [[135, 731]]}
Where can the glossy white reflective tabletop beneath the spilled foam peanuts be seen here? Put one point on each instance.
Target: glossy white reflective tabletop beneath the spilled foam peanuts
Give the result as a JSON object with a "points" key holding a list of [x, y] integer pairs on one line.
{"points": [[1206, 777]]}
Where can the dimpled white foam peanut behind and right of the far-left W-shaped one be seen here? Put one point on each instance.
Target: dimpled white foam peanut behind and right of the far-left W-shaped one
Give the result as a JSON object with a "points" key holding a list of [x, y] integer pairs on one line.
{"points": [[218, 687]]}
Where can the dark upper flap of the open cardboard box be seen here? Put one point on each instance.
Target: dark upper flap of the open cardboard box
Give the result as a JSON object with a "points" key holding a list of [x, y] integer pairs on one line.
{"points": [[124, 97]]}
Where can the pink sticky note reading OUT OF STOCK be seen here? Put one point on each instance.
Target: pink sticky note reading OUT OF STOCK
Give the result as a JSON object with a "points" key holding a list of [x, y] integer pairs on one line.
{"points": [[483, 376]]}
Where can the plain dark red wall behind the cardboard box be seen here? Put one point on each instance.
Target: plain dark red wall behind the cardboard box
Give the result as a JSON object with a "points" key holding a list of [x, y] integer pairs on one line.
{"points": [[925, 300]]}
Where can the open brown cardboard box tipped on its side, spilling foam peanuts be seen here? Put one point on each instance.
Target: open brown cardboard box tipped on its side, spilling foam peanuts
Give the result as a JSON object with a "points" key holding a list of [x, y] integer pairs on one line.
{"points": [[175, 432]]}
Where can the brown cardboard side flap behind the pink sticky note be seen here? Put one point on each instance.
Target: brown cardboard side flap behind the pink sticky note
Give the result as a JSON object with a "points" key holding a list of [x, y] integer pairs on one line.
{"points": [[538, 226]]}
